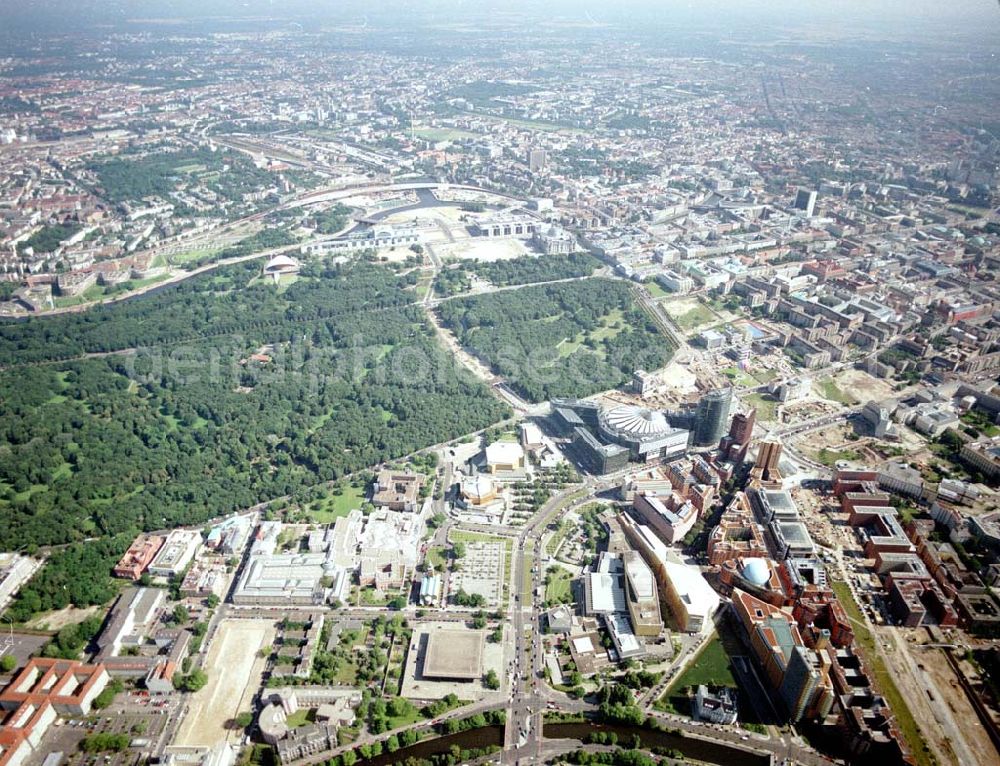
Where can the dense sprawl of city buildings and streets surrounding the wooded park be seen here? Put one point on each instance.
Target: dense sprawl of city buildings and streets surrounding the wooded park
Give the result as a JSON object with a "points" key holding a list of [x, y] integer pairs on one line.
{"points": [[783, 543]]}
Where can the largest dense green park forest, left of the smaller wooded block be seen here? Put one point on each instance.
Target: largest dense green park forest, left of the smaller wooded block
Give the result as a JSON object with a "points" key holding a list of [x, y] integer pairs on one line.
{"points": [[191, 427]]}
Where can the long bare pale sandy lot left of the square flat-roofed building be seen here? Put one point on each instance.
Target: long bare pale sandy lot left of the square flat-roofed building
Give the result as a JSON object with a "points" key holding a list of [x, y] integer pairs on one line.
{"points": [[234, 669]]}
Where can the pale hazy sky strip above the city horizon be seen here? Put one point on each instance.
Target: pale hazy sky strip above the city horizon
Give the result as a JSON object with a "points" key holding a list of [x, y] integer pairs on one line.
{"points": [[949, 17]]}
